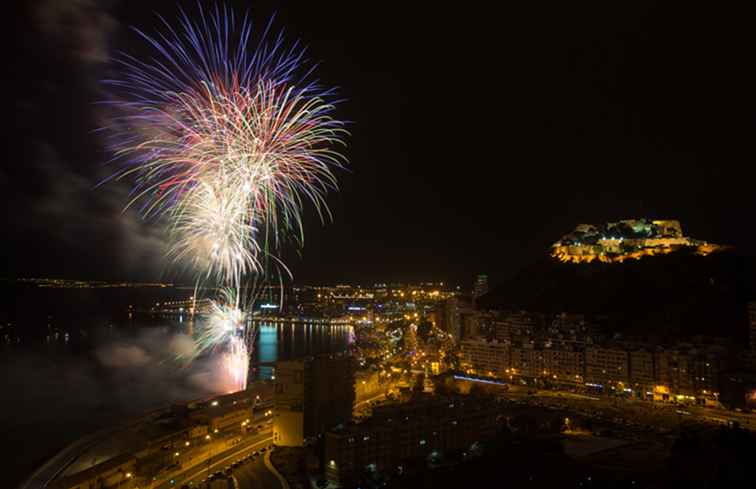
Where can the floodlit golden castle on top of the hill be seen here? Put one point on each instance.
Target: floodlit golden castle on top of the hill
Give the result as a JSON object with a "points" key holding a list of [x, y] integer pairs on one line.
{"points": [[627, 239]]}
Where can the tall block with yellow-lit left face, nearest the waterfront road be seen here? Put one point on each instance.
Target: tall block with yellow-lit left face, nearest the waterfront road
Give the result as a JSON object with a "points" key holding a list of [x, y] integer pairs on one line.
{"points": [[311, 397]]}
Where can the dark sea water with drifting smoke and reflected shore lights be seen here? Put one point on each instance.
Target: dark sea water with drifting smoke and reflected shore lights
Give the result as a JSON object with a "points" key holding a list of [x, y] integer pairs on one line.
{"points": [[73, 361]]}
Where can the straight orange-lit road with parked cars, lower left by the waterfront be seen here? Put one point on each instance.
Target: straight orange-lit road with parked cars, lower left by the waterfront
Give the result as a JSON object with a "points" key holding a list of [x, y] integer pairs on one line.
{"points": [[219, 462]]}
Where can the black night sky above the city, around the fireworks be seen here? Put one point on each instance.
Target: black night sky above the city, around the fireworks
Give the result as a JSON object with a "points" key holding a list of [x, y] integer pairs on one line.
{"points": [[479, 136]]}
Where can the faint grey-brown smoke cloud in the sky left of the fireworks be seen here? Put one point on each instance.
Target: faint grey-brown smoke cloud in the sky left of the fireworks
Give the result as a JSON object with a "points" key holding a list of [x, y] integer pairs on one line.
{"points": [[59, 159]]}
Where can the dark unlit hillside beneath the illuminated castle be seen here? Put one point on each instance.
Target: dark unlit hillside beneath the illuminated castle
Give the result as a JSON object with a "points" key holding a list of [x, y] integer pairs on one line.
{"points": [[680, 293]]}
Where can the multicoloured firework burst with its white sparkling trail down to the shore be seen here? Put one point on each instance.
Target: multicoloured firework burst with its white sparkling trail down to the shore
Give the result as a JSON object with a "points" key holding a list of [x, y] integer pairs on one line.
{"points": [[227, 138]]}
